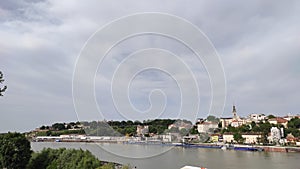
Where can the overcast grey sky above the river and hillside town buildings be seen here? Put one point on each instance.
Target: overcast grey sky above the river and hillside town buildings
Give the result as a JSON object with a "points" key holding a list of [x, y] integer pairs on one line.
{"points": [[257, 42]]}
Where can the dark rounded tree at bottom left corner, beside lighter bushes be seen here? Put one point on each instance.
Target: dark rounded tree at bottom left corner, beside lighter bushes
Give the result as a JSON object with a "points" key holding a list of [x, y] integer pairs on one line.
{"points": [[14, 151]]}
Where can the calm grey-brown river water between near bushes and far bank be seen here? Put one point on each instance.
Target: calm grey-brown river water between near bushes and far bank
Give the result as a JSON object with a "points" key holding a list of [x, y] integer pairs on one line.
{"points": [[165, 157]]}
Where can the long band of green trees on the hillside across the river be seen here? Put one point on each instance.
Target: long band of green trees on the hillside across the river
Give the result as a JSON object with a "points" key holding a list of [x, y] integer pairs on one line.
{"points": [[111, 128]]}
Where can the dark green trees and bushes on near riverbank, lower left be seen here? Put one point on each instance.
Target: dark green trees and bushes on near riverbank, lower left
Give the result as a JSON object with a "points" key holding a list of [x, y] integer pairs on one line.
{"points": [[15, 153]]}
